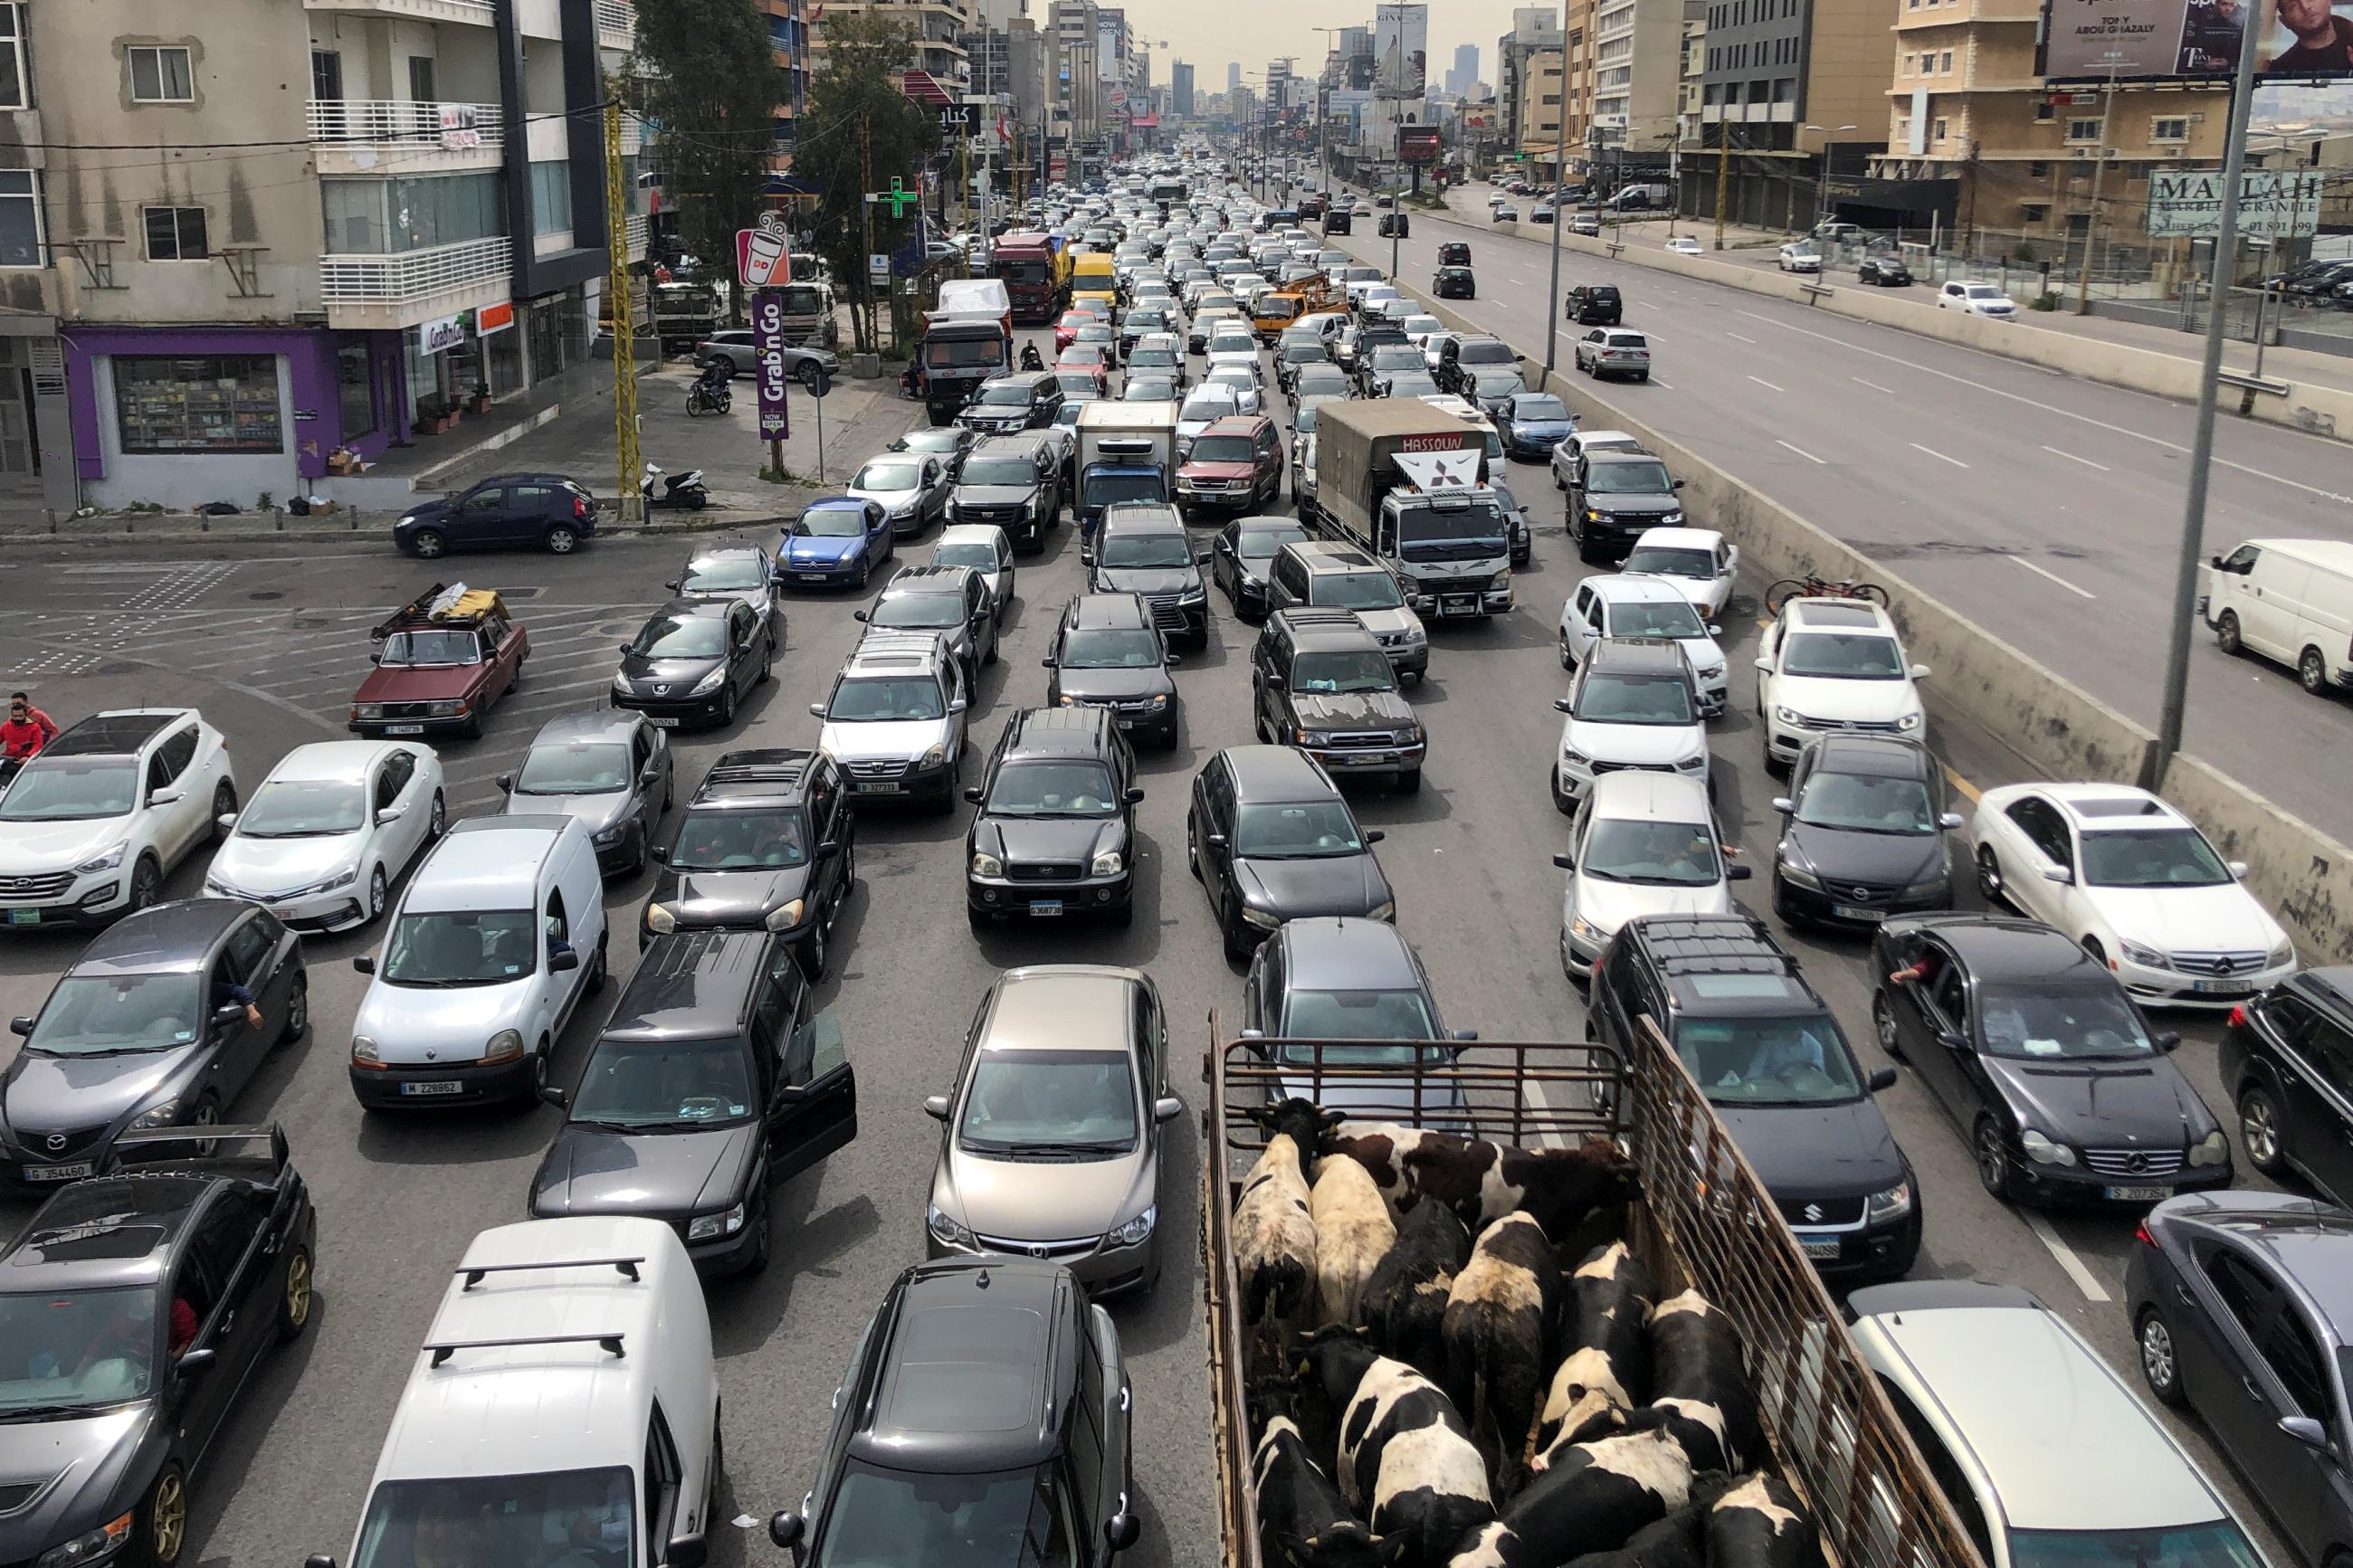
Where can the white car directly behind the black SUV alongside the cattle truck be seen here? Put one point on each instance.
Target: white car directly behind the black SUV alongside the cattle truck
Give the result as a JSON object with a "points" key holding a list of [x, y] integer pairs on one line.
{"points": [[1644, 845]]}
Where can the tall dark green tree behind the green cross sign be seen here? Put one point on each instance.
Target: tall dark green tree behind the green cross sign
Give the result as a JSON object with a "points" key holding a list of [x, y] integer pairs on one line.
{"points": [[855, 135]]}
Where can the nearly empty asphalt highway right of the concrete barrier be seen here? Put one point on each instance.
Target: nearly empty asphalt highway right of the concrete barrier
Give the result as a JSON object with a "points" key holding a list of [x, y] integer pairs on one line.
{"points": [[2041, 507]]}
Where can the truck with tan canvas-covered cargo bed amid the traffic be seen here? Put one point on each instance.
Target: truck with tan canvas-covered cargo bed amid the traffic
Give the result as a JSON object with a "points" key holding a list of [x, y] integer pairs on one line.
{"points": [[1404, 481]]}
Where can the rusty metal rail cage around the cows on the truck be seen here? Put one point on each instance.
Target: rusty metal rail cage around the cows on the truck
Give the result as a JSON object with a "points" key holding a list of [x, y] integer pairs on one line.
{"points": [[1705, 1221]]}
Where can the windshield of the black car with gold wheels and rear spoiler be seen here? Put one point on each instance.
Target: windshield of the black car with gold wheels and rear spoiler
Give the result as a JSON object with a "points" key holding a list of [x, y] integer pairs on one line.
{"points": [[76, 1348]]}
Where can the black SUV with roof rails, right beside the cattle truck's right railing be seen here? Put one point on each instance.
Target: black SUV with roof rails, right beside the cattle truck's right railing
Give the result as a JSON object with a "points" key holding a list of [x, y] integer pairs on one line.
{"points": [[1778, 1068]]}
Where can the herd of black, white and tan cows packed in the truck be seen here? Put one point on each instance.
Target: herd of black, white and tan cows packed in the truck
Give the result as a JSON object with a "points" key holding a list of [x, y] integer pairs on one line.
{"points": [[1437, 1386]]}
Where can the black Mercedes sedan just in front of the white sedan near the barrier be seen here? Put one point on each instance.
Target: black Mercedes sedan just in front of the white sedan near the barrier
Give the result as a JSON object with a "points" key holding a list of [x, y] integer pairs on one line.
{"points": [[2044, 1064]]}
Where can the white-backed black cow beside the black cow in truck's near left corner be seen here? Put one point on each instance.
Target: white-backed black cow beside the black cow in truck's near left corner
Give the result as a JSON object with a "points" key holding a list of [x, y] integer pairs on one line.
{"points": [[1406, 1459]]}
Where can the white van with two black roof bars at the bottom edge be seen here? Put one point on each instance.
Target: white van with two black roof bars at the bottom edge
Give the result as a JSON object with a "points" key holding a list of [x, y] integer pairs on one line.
{"points": [[564, 1409]]}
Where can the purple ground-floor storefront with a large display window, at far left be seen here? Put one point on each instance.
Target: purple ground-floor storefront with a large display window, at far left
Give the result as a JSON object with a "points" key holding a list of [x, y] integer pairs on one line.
{"points": [[227, 415]]}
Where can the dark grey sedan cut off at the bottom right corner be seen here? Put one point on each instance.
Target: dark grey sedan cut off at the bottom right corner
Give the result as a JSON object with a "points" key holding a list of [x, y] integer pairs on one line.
{"points": [[2241, 1311]]}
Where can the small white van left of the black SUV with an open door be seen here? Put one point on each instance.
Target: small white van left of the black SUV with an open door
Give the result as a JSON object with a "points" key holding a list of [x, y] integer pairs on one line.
{"points": [[498, 939]]}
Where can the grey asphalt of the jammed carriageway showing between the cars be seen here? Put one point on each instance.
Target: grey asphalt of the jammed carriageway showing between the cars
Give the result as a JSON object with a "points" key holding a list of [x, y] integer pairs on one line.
{"points": [[272, 652]]}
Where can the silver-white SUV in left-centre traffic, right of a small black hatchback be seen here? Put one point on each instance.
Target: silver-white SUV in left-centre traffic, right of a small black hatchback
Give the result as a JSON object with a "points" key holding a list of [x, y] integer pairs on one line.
{"points": [[895, 718]]}
